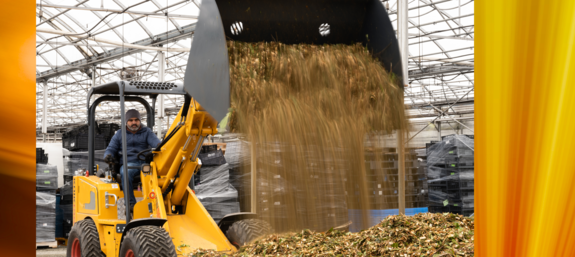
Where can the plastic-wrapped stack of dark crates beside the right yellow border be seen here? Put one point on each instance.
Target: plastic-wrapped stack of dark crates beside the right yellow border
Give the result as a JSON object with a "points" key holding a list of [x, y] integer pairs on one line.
{"points": [[450, 172]]}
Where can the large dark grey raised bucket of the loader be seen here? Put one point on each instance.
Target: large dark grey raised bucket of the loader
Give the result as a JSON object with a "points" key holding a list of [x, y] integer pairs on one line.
{"points": [[289, 22]]}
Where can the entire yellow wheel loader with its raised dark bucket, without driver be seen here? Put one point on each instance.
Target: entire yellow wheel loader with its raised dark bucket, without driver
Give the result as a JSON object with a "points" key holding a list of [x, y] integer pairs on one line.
{"points": [[169, 220]]}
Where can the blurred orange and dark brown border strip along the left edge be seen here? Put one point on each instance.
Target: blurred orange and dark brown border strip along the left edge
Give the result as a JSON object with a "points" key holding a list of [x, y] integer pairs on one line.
{"points": [[17, 128]]}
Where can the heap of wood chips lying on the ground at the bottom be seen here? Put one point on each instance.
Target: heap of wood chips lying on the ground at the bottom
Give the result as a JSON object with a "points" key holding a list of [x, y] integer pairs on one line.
{"points": [[428, 234]]}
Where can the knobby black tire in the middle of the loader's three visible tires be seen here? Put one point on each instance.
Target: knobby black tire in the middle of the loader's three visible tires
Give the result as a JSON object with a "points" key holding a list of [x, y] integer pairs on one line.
{"points": [[148, 241]]}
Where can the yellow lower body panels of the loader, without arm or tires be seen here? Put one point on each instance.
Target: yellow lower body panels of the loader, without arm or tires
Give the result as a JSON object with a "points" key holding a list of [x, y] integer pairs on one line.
{"points": [[96, 199]]}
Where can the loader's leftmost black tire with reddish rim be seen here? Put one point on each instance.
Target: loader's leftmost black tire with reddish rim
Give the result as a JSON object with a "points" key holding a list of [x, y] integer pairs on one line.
{"points": [[84, 240]]}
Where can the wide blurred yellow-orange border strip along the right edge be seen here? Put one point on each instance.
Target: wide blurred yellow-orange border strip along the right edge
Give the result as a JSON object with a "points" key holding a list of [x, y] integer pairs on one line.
{"points": [[525, 128]]}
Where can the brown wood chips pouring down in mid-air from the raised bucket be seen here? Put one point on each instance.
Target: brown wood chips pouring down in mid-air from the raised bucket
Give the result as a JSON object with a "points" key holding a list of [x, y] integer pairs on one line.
{"points": [[317, 103]]}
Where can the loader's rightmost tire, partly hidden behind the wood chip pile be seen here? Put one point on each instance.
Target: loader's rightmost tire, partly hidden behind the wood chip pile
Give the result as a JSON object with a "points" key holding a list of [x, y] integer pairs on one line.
{"points": [[243, 232]]}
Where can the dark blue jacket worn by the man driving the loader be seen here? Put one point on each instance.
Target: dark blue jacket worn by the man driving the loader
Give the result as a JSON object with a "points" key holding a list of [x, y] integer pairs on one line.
{"points": [[141, 140]]}
